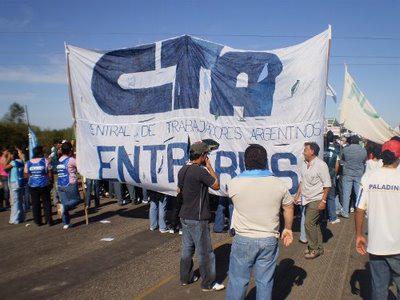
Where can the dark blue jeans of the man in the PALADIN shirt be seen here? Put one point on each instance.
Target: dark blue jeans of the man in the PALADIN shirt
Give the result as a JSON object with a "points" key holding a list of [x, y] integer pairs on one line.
{"points": [[383, 269]]}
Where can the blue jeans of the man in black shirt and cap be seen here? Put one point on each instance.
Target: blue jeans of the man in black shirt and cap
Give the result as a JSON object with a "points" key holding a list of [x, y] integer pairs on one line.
{"points": [[196, 236]]}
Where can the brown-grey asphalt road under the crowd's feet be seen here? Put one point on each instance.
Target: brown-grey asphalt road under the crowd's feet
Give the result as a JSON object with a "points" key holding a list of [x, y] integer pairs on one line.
{"points": [[52, 263]]}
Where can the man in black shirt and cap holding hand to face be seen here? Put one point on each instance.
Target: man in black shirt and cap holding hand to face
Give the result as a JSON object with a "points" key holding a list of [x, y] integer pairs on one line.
{"points": [[194, 179]]}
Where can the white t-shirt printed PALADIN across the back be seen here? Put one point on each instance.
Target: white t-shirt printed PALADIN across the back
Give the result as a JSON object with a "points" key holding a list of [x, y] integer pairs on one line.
{"points": [[380, 197]]}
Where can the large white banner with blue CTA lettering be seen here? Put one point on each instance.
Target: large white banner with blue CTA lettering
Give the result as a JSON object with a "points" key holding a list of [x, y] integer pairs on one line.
{"points": [[137, 108]]}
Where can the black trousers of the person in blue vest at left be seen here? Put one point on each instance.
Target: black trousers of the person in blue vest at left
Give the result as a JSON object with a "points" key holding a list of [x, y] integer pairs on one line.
{"points": [[39, 196]]}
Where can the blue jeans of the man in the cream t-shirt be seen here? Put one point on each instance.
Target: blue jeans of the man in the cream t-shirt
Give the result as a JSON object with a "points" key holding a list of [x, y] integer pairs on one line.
{"points": [[250, 253]]}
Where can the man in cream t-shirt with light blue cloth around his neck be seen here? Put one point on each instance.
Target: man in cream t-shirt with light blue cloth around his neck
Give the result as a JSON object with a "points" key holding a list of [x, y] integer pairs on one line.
{"points": [[258, 197]]}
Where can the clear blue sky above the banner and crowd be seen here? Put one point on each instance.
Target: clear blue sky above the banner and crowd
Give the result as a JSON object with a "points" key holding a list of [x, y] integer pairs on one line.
{"points": [[32, 35]]}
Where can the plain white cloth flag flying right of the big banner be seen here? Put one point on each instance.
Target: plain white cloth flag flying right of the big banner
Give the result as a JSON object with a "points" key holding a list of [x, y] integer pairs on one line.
{"points": [[358, 115]]}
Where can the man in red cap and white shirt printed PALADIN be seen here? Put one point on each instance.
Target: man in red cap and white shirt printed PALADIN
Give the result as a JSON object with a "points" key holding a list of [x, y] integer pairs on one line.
{"points": [[380, 197]]}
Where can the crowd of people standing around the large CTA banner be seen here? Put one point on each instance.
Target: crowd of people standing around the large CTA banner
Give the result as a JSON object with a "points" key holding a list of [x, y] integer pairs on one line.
{"points": [[352, 174]]}
